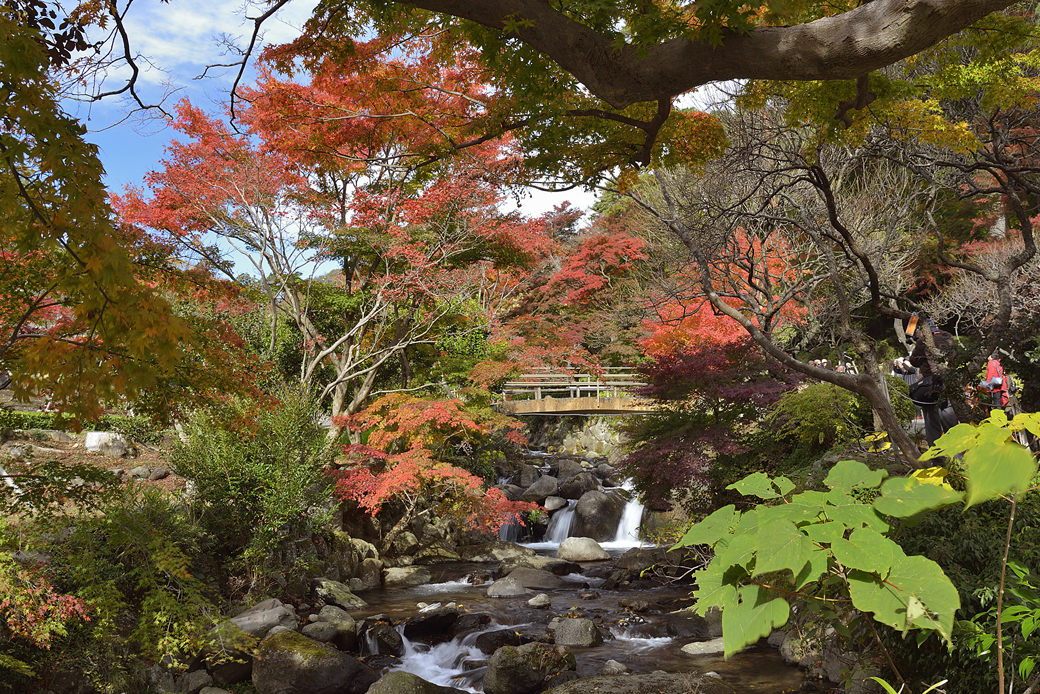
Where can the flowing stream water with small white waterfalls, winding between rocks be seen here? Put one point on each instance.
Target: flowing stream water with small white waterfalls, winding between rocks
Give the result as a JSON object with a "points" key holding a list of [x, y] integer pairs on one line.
{"points": [[642, 641]]}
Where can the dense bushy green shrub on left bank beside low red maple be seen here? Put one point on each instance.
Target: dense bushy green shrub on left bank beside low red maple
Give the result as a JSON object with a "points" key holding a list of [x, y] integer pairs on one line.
{"points": [[258, 478]]}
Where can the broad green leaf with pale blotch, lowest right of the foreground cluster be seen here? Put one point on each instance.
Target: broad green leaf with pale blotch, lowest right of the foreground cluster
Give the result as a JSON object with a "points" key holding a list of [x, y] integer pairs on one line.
{"points": [[912, 578]]}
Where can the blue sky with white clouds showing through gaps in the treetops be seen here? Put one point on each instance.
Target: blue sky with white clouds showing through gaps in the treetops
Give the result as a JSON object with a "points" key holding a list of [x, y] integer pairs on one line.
{"points": [[177, 41]]}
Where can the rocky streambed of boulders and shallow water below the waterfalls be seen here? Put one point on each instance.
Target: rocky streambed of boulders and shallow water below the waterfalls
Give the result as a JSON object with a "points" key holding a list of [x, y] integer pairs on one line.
{"points": [[516, 623]]}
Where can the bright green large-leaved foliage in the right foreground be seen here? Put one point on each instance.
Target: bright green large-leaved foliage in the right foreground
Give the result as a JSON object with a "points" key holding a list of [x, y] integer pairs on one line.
{"points": [[834, 551]]}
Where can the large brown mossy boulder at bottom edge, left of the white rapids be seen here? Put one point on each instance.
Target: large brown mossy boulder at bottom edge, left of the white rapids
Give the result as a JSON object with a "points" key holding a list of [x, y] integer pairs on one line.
{"points": [[290, 663]]}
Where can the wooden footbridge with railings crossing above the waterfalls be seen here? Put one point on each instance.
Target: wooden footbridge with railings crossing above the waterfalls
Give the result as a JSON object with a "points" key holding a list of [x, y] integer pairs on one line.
{"points": [[544, 392]]}
